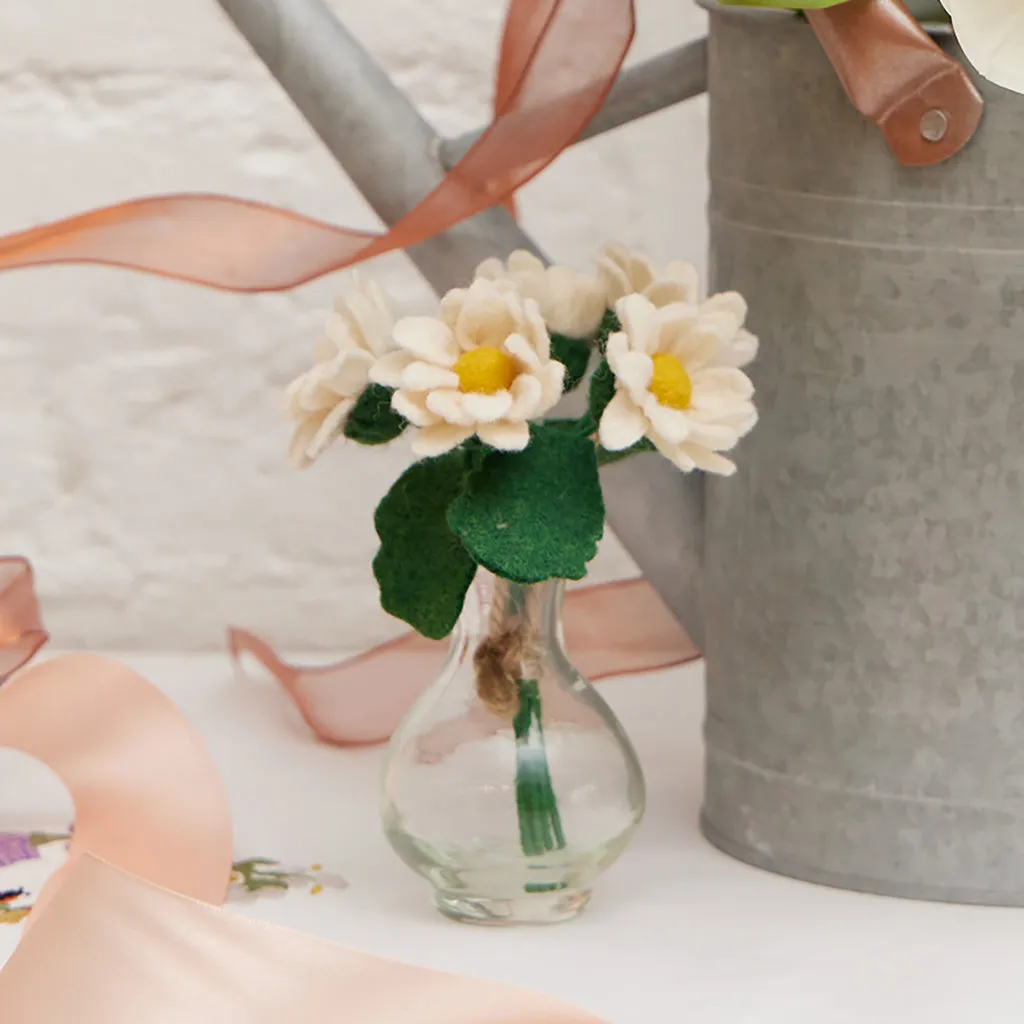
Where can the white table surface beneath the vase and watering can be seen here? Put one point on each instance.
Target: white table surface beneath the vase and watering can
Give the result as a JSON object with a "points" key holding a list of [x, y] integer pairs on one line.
{"points": [[677, 931]]}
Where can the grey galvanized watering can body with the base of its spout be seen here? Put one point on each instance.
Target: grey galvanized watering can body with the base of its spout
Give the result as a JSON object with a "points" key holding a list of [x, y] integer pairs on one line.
{"points": [[858, 588]]}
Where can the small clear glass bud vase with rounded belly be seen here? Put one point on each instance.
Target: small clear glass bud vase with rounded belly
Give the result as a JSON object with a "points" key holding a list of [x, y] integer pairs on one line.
{"points": [[510, 786]]}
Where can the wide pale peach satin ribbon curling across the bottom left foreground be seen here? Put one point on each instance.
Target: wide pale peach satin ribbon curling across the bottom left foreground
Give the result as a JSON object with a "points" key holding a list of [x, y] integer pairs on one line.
{"points": [[129, 933]]}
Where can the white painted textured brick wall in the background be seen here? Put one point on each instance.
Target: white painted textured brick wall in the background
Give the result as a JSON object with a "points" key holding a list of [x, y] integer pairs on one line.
{"points": [[142, 450]]}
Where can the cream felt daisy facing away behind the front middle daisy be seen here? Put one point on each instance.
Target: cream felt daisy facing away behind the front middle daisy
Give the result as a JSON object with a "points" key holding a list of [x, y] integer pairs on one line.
{"points": [[572, 303]]}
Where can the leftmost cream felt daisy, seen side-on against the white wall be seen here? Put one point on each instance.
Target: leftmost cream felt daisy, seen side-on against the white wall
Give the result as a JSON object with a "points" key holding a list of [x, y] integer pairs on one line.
{"points": [[358, 333]]}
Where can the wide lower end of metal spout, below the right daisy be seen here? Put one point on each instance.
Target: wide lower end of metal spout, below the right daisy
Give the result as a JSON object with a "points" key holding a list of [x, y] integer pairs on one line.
{"points": [[659, 515]]}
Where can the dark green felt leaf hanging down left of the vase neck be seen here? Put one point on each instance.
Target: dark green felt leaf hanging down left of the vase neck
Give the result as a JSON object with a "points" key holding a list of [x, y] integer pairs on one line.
{"points": [[422, 568]]}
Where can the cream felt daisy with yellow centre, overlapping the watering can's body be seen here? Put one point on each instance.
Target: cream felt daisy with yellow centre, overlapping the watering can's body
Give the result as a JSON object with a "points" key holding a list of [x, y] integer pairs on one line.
{"points": [[670, 387]]}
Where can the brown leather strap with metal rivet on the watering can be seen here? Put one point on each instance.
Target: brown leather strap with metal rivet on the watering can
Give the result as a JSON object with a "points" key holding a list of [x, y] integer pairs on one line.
{"points": [[894, 73]]}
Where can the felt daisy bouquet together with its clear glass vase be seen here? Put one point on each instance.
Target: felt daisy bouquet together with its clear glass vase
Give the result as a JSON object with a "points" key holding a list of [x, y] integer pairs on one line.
{"points": [[507, 485]]}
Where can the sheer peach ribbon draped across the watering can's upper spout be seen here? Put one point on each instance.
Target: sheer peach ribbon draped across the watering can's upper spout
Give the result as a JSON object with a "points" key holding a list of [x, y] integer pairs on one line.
{"points": [[559, 61]]}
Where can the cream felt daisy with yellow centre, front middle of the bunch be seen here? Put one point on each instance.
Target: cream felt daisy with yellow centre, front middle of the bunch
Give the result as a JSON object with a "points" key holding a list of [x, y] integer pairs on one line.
{"points": [[483, 367]]}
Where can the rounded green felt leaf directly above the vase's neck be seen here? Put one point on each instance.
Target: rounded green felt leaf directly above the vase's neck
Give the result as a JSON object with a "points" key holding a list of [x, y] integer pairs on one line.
{"points": [[536, 515]]}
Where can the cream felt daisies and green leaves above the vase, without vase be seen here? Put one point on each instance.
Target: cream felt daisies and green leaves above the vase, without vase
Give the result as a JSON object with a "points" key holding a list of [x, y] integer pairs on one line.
{"points": [[504, 483]]}
